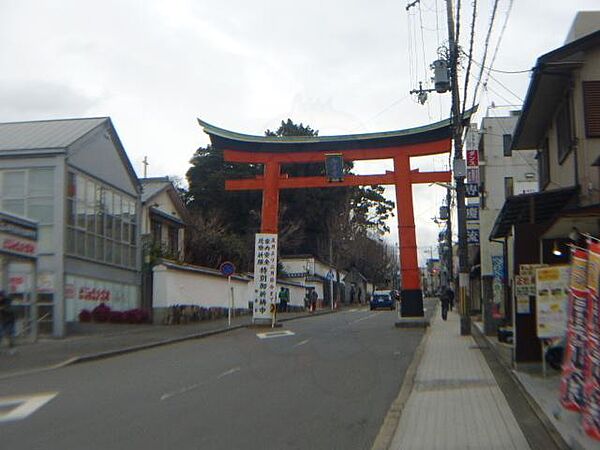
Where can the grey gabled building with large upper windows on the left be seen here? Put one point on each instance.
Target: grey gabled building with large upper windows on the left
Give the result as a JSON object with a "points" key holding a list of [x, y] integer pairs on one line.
{"points": [[75, 180]]}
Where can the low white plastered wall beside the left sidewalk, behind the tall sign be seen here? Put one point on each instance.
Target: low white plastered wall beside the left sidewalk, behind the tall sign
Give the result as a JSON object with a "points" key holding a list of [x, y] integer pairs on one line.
{"points": [[173, 286]]}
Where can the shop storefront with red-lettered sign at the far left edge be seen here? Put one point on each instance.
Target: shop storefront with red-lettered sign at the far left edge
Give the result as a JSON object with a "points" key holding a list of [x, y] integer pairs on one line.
{"points": [[18, 271]]}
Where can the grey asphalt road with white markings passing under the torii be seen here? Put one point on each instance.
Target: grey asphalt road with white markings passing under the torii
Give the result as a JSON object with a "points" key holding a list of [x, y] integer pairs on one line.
{"points": [[327, 386]]}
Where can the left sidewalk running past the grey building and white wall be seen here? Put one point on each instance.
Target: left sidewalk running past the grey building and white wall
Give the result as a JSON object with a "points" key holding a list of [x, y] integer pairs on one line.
{"points": [[102, 340]]}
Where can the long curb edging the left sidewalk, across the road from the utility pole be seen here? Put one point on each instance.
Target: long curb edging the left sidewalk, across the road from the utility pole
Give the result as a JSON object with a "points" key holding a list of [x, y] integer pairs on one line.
{"points": [[136, 348]]}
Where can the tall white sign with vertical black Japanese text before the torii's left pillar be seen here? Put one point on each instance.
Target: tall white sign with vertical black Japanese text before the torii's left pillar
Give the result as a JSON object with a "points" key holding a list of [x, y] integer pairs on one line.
{"points": [[265, 275]]}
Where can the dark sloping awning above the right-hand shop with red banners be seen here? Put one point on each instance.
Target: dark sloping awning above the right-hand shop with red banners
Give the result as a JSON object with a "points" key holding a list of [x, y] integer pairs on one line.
{"points": [[538, 207]]}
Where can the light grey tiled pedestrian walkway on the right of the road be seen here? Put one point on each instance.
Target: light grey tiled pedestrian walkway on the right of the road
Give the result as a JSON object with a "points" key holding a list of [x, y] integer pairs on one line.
{"points": [[455, 402]]}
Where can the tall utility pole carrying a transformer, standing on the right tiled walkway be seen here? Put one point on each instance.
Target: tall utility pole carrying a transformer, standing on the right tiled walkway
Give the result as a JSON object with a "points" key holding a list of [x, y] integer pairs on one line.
{"points": [[459, 177]]}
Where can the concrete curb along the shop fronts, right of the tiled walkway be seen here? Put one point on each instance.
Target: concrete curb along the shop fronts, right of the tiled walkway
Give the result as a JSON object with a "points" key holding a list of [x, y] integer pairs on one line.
{"points": [[550, 429]]}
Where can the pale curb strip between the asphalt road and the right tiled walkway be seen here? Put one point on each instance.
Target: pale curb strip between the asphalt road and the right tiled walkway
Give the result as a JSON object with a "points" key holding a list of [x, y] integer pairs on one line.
{"points": [[386, 434]]}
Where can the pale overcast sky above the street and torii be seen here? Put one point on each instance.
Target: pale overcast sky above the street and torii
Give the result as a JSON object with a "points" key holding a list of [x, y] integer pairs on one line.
{"points": [[341, 66]]}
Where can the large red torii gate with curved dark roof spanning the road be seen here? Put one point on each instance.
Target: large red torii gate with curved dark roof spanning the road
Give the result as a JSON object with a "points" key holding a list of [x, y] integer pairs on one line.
{"points": [[400, 146]]}
